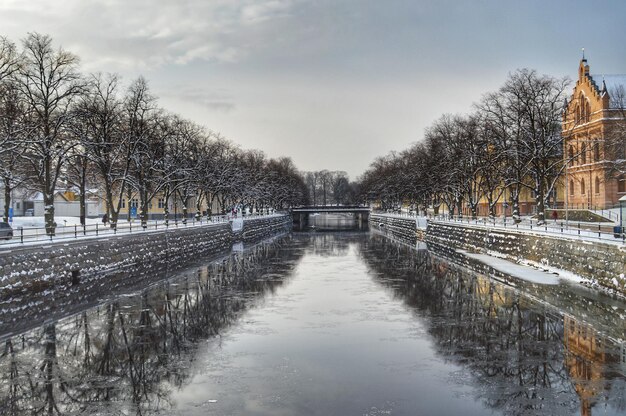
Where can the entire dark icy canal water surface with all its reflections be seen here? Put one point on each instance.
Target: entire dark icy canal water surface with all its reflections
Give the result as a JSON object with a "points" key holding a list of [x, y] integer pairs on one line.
{"points": [[326, 324]]}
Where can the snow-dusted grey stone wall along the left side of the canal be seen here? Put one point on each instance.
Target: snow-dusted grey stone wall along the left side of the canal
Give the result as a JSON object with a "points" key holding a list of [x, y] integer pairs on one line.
{"points": [[137, 256]]}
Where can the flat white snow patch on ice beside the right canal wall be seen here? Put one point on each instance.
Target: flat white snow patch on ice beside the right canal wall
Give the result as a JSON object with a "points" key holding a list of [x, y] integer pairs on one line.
{"points": [[524, 272]]}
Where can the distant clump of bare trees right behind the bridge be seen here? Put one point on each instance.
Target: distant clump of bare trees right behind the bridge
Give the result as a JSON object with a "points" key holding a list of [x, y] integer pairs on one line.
{"points": [[326, 187]]}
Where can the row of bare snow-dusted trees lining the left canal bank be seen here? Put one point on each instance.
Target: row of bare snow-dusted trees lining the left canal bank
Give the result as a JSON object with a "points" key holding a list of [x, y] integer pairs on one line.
{"points": [[59, 126]]}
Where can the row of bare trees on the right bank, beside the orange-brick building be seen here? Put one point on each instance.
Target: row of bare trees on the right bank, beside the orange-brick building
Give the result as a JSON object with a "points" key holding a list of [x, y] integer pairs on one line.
{"points": [[510, 141]]}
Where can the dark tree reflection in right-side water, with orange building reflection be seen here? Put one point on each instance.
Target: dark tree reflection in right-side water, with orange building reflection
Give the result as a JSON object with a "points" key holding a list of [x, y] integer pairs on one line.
{"points": [[524, 358]]}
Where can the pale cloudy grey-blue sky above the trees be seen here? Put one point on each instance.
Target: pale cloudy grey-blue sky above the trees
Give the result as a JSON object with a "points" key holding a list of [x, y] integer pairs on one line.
{"points": [[333, 84]]}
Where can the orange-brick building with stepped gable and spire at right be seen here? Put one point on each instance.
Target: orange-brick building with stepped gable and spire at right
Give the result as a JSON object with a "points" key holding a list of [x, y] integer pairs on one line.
{"points": [[593, 122]]}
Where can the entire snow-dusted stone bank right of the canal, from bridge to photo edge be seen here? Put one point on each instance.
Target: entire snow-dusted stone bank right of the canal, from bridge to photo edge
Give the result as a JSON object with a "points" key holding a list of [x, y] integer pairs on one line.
{"points": [[598, 264]]}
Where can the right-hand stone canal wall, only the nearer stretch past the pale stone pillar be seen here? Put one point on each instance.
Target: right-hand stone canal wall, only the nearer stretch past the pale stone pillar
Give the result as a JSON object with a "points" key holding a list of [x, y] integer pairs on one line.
{"points": [[600, 263]]}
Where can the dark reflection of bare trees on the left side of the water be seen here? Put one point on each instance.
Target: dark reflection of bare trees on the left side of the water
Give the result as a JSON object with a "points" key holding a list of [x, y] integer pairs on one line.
{"points": [[127, 356]]}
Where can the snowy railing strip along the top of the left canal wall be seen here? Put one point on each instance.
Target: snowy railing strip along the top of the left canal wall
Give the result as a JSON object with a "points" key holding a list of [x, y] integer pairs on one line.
{"points": [[23, 235]]}
